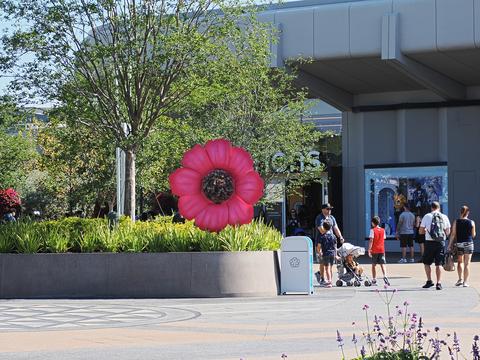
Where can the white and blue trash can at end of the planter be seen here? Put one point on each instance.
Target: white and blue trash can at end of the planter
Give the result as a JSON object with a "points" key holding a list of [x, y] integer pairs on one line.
{"points": [[296, 265]]}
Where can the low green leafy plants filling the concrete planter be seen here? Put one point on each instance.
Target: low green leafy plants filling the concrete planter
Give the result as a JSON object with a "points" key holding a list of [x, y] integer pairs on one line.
{"points": [[161, 235]]}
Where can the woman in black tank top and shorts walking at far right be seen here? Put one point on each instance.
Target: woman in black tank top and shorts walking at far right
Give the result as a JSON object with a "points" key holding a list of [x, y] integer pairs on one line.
{"points": [[463, 233]]}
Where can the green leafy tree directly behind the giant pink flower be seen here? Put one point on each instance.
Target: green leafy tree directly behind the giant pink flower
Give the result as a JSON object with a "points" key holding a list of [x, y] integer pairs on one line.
{"points": [[259, 108]]}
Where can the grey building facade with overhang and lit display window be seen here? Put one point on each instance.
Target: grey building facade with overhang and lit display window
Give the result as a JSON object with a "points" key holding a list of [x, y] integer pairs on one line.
{"points": [[406, 76]]}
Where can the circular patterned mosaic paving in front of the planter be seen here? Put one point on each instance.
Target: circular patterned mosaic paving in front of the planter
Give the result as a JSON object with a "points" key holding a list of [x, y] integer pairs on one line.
{"points": [[21, 317]]}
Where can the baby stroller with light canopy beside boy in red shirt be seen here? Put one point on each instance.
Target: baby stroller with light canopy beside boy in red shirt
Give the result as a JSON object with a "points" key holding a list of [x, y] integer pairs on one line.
{"points": [[346, 274]]}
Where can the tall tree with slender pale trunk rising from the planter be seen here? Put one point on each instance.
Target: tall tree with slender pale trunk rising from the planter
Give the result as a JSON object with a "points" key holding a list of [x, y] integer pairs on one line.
{"points": [[129, 61]]}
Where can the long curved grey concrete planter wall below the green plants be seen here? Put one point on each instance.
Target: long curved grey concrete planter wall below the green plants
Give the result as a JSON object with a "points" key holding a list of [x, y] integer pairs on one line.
{"points": [[143, 275]]}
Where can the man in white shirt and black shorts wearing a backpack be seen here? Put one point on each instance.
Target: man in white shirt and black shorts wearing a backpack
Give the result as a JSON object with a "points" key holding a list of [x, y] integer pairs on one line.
{"points": [[436, 228]]}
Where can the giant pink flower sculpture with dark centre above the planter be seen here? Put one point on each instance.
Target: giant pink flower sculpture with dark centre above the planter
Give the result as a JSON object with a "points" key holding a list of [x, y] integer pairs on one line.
{"points": [[217, 185]]}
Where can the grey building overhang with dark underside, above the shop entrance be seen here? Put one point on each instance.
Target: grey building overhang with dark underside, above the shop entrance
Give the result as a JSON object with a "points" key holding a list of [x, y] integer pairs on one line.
{"points": [[429, 48]]}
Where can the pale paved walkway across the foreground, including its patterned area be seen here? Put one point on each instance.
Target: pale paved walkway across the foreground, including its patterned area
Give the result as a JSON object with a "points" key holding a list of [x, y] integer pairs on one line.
{"points": [[302, 327]]}
